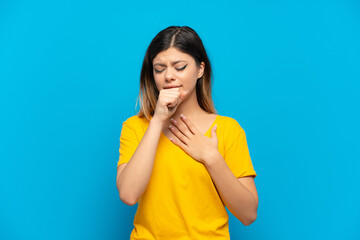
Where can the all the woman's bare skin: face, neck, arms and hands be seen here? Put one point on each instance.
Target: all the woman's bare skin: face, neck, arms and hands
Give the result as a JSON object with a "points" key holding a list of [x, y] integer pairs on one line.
{"points": [[179, 116]]}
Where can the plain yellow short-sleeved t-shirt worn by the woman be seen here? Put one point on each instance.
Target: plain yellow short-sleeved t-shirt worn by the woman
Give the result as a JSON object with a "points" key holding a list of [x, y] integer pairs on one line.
{"points": [[181, 200]]}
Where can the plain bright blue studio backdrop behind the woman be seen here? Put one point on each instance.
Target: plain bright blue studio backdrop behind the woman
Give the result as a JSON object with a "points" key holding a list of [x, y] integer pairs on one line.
{"points": [[287, 71]]}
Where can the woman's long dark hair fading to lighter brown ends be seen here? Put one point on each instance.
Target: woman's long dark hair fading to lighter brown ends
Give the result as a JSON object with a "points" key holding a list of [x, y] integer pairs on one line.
{"points": [[186, 40]]}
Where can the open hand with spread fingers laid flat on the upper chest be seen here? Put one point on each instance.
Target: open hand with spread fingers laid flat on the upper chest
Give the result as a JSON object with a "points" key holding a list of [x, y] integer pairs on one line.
{"points": [[192, 141]]}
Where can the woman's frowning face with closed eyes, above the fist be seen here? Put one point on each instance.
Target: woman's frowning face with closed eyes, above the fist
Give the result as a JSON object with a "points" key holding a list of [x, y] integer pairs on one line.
{"points": [[175, 68]]}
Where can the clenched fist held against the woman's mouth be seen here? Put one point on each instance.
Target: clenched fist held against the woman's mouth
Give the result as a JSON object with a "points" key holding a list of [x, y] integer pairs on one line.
{"points": [[167, 103]]}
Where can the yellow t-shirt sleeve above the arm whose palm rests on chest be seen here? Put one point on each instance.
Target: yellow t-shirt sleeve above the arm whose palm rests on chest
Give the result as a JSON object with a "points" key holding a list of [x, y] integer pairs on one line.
{"points": [[238, 157]]}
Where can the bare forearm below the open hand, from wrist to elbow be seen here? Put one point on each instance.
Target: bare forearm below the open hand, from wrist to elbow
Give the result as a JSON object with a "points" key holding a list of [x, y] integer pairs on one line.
{"points": [[234, 194]]}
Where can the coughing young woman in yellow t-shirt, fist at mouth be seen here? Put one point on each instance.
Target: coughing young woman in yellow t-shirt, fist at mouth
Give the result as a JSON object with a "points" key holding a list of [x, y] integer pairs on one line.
{"points": [[179, 160]]}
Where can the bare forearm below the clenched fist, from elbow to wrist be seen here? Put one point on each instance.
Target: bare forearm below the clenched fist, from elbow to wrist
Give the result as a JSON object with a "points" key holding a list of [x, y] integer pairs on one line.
{"points": [[135, 177]]}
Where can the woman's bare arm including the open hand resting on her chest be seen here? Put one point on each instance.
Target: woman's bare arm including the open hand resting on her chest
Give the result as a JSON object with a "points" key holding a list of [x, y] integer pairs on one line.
{"points": [[238, 195]]}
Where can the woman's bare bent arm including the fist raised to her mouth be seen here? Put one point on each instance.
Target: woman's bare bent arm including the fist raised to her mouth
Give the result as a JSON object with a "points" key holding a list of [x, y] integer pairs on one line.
{"points": [[134, 177]]}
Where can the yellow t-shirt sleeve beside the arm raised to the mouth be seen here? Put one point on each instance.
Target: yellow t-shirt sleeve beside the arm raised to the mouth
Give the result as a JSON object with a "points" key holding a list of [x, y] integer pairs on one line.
{"points": [[128, 143]]}
